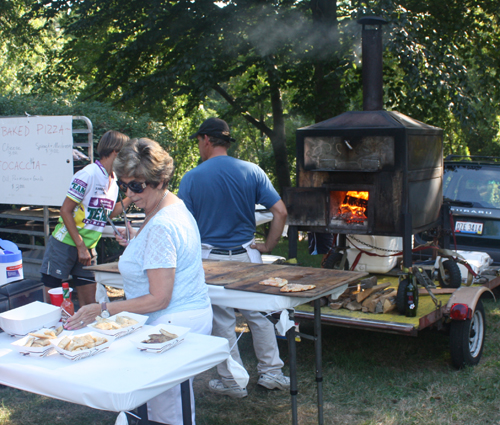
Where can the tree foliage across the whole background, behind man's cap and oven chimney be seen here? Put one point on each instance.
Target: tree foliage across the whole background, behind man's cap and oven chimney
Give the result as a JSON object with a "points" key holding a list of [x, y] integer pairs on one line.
{"points": [[266, 66]]}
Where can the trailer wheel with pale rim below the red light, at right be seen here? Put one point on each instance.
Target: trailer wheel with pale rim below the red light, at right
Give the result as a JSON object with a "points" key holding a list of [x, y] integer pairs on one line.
{"points": [[467, 338]]}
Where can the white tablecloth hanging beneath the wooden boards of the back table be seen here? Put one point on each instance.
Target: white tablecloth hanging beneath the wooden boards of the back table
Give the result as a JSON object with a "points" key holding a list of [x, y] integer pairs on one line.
{"points": [[219, 295]]}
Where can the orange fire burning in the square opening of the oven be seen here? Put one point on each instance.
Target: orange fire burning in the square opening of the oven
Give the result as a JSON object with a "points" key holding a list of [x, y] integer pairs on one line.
{"points": [[349, 208]]}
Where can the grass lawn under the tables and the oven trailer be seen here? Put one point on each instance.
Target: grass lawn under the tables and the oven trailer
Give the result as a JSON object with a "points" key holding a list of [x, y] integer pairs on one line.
{"points": [[370, 378]]}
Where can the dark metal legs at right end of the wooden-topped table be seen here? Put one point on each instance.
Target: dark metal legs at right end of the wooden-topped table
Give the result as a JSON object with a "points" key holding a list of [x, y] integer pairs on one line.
{"points": [[293, 361]]}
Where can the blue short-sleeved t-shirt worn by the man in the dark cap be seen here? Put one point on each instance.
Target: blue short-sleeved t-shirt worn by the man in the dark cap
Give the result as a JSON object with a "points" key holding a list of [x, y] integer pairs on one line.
{"points": [[221, 193]]}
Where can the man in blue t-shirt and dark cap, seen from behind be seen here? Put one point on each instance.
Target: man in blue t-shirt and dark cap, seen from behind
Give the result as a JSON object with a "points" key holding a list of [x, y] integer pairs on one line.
{"points": [[221, 193]]}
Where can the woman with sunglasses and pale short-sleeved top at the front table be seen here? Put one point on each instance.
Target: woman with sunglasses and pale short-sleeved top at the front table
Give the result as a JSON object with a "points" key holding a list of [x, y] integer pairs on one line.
{"points": [[161, 266]]}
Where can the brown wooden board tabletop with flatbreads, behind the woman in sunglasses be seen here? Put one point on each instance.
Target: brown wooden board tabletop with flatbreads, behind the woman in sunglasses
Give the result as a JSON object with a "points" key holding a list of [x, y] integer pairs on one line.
{"points": [[248, 278]]}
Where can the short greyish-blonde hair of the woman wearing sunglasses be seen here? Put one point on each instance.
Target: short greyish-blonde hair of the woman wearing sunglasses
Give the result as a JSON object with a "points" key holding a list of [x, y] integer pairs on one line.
{"points": [[144, 159]]}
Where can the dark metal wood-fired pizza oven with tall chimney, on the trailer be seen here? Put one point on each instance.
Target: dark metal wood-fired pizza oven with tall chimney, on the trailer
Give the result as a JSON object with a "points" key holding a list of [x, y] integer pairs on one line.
{"points": [[370, 172]]}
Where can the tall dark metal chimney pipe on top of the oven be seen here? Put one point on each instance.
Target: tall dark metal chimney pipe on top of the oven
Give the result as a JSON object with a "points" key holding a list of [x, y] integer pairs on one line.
{"points": [[371, 51]]}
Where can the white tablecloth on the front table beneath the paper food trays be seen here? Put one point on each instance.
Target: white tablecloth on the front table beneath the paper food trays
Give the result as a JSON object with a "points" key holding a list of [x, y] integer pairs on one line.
{"points": [[120, 379]]}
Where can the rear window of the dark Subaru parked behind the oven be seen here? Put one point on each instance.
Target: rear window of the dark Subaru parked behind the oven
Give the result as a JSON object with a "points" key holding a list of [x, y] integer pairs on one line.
{"points": [[476, 184]]}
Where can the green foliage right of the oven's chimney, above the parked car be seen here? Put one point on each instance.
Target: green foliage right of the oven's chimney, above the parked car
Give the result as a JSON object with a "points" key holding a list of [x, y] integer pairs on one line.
{"points": [[442, 61]]}
